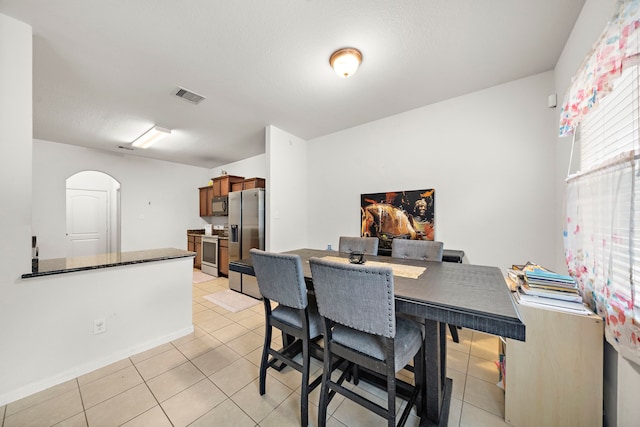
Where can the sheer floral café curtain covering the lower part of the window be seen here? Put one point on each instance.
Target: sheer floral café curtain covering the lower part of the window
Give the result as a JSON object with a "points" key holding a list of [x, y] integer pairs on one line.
{"points": [[600, 249]]}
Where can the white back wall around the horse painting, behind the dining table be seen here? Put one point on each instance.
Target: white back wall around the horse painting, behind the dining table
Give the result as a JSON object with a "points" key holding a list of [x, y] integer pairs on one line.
{"points": [[489, 156]]}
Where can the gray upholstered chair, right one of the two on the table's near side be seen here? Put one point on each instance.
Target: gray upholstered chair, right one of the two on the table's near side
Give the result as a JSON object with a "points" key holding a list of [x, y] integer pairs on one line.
{"points": [[357, 306]]}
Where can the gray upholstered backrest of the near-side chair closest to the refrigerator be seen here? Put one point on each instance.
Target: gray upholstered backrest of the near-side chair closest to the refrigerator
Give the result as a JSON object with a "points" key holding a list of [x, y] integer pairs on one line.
{"points": [[280, 278]]}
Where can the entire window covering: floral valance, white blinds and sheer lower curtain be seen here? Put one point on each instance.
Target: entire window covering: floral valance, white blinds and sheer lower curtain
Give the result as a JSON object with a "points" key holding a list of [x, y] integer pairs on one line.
{"points": [[602, 248]]}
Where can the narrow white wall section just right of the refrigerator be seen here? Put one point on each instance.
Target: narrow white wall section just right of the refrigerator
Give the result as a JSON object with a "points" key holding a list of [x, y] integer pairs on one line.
{"points": [[287, 192]]}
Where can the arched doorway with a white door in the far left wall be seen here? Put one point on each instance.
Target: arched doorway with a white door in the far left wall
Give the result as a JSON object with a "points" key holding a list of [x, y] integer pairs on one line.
{"points": [[93, 214]]}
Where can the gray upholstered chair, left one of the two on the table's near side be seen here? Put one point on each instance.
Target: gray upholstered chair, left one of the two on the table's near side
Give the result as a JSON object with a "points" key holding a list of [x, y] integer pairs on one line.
{"points": [[281, 279]]}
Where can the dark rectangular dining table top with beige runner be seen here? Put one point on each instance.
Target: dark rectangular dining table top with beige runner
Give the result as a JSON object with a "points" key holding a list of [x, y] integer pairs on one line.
{"points": [[466, 295]]}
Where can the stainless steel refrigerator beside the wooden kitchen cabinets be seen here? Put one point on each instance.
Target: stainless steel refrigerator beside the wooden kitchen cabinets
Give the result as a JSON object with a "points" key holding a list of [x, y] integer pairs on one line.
{"points": [[246, 231]]}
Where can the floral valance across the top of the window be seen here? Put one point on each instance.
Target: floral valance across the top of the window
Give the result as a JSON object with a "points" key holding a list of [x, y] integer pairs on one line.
{"points": [[609, 55]]}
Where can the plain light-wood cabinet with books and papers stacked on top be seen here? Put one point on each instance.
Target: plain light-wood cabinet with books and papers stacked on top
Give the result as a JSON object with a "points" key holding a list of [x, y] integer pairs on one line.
{"points": [[555, 377]]}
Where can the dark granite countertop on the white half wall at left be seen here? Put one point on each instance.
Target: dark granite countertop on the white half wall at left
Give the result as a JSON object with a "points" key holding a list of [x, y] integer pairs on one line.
{"points": [[48, 267]]}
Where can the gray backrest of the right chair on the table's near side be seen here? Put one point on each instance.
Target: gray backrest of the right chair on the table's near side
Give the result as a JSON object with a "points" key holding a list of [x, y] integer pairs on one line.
{"points": [[357, 296]]}
